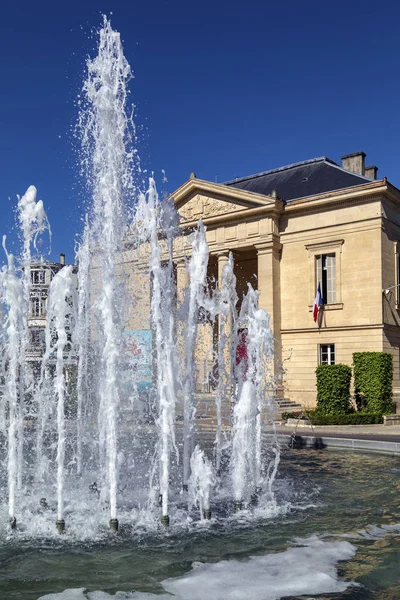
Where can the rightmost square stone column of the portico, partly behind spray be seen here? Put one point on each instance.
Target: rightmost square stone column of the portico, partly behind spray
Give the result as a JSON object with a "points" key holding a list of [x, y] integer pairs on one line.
{"points": [[268, 258]]}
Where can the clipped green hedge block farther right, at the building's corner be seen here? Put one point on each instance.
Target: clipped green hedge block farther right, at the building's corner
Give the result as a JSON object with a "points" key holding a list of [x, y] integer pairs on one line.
{"points": [[373, 380]]}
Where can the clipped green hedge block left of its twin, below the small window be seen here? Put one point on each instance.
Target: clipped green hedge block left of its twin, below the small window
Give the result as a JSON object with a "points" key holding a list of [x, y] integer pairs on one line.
{"points": [[333, 389]]}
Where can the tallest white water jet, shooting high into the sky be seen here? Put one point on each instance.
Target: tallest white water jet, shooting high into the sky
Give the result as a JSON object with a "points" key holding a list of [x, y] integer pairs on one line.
{"points": [[106, 136]]}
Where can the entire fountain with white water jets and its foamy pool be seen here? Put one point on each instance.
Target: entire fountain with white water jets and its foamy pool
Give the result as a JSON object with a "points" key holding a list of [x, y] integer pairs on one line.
{"points": [[83, 458]]}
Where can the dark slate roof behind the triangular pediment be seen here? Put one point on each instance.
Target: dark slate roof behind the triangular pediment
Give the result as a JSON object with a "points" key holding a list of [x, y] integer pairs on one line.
{"points": [[315, 176]]}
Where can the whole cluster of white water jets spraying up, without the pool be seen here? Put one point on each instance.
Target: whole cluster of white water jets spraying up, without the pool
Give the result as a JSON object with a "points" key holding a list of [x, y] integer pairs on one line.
{"points": [[88, 438]]}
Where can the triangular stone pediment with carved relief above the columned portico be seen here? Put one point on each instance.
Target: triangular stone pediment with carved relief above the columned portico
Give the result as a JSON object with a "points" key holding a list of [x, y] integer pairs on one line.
{"points": [[197, 199]]}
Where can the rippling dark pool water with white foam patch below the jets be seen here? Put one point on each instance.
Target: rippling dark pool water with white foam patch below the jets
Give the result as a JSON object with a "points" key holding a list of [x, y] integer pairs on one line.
{"points": [[334, 534]]}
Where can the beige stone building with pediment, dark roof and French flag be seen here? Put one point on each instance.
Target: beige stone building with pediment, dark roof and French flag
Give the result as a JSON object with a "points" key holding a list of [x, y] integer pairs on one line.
{"points": [[292, 227]]}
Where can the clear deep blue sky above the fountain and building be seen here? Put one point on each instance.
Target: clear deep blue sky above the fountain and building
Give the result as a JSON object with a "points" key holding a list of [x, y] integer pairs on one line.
{"points": [[224, 89]]}
